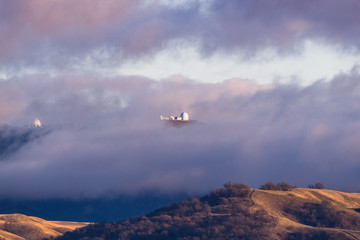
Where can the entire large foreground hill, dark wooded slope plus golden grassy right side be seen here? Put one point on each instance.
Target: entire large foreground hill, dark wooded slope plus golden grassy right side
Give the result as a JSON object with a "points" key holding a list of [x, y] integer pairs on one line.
{"points": [[236, 212]]}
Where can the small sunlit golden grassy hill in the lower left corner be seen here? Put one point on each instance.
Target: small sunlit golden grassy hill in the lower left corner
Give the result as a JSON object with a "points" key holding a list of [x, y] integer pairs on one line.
{"points": [[18, 226]]}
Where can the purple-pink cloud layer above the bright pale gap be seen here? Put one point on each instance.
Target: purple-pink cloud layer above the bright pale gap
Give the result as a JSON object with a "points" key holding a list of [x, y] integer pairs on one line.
{"points": [[64, 34]]}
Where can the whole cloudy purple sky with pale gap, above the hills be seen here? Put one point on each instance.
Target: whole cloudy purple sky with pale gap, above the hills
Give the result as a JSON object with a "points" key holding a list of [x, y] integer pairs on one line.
{"points": [[274, 87]]}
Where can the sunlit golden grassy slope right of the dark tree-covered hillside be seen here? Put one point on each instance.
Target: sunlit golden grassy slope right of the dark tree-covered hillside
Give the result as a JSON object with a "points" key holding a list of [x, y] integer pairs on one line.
{"points": [[312, 213]]}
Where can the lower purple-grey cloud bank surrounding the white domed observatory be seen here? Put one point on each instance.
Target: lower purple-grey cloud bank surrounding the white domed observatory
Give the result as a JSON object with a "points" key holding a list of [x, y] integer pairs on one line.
{"points": [[108, 138]]}
